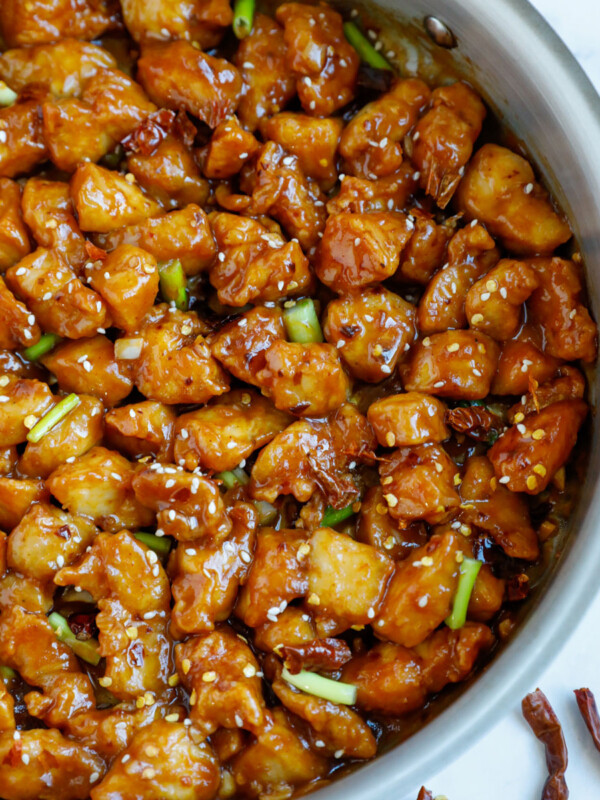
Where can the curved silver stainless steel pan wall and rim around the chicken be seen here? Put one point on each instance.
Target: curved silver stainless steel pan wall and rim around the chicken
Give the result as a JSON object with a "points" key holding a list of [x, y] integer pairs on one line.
{"points": [[536, 87]]}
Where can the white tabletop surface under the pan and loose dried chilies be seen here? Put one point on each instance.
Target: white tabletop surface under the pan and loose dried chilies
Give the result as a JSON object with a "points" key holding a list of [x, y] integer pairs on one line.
{"points": [[508, 763]]}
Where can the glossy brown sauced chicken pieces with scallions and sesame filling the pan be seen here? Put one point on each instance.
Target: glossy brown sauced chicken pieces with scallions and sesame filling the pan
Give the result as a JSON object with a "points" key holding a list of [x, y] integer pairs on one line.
{"points": [[293, 357]]}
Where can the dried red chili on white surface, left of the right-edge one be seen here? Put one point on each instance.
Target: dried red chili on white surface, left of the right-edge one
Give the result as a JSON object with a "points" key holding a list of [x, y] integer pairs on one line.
{"points": [[543, 721]]}
